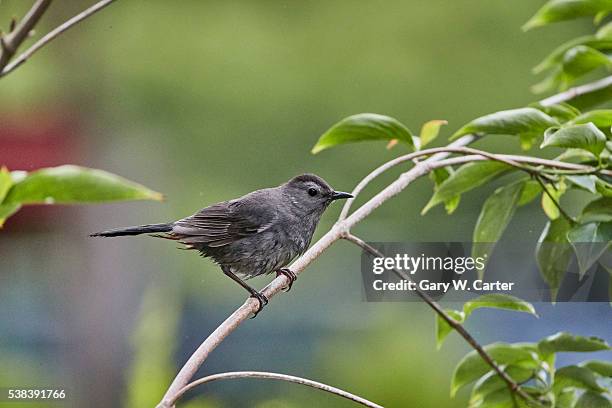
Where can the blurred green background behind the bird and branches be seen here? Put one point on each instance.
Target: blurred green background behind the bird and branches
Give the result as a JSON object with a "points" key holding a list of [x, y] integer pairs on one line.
{"points": [[208, 100]]}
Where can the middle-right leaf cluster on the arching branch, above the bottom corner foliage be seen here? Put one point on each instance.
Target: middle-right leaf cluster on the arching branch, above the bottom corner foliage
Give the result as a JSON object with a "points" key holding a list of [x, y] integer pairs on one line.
{"points": [[584, 137]]}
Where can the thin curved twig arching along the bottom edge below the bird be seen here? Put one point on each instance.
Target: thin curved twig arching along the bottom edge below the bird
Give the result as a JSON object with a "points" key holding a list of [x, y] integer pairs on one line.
{"points": [[271, 376]]}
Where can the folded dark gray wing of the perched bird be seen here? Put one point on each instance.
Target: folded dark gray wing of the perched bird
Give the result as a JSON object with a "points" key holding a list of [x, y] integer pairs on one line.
{"points": [[223, 223]]}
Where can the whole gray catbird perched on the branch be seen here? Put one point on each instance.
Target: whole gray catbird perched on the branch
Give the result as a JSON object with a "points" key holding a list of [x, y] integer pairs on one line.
{"points": [[258, 233]]}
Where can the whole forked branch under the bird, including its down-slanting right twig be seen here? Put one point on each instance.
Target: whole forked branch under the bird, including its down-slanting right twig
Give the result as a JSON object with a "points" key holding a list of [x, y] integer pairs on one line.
{"points": [[436, 157]]}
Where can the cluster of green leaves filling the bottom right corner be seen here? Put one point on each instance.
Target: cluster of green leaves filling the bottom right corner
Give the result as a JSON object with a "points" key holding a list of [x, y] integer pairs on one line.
{"points": [[530, 365]]}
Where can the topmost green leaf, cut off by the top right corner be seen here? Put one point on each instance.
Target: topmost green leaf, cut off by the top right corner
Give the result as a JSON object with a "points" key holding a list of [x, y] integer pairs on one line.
{"points": [[560, 10]]}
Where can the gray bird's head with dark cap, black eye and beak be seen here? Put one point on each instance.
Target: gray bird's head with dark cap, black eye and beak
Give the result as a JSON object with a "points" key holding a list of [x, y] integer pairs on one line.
{"points": [[311, 193]]}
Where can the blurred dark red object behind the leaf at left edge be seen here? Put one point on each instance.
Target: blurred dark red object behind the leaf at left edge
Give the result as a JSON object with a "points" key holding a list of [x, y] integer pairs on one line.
{"points": [[33, 140]]}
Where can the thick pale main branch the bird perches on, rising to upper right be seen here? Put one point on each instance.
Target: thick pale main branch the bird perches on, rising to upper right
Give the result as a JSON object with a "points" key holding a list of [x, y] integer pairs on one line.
{"points": [[341, 230]]}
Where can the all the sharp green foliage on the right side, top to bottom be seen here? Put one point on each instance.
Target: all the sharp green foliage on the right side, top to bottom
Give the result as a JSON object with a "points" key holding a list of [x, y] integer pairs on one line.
{"points": [[581, 136]]}
